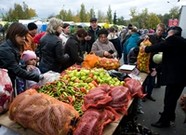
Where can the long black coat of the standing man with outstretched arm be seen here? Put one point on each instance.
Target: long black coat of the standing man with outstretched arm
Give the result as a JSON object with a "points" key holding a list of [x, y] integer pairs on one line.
{"points": [[173, 61]]}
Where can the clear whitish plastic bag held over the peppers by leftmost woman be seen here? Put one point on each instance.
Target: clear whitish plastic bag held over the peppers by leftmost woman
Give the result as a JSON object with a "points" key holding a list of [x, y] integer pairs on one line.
{"points": [[49, 77]]}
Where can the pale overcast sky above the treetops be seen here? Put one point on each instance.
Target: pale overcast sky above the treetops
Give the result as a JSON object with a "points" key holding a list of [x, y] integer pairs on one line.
{"points": [[45, 8]]}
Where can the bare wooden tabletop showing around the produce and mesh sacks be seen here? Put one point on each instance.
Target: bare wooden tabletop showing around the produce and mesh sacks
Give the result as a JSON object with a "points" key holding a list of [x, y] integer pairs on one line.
{"points": [[109, 129]]}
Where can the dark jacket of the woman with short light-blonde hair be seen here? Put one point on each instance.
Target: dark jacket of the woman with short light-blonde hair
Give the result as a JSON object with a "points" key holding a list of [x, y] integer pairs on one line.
{"points": [[52, 53]]}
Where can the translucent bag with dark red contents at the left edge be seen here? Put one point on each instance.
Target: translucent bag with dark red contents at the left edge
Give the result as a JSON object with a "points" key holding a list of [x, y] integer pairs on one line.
{"points": [[6, 91]]}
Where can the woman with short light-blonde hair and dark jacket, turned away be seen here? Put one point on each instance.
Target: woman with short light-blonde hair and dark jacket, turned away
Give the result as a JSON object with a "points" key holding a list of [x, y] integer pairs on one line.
{"points": [[52, 51]]}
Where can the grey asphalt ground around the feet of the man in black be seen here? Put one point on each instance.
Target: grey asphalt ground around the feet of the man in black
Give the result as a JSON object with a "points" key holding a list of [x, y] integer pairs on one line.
{"points": [[151, 114]]}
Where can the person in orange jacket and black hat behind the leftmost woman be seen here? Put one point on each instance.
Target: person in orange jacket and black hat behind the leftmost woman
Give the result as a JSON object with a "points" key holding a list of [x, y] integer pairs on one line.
{"points": [[29, 42]]}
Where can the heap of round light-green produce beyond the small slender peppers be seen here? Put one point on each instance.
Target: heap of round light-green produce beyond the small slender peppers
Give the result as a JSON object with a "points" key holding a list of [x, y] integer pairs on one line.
{"points": [[89, 78]]}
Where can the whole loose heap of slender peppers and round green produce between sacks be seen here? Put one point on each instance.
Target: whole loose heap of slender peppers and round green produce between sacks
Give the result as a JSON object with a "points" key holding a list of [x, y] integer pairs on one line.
{"points": [[75, 83]]}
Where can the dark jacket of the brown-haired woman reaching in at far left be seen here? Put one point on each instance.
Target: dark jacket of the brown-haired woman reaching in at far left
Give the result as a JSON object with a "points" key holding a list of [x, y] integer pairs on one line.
{"points": [[10, 58]]}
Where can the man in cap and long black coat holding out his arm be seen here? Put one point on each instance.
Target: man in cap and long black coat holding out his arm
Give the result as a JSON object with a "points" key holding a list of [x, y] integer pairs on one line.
{"points": [[173, 72]]}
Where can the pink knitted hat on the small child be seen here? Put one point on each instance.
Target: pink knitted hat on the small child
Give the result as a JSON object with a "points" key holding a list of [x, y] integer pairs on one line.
{"points": [[28, 55]]}
